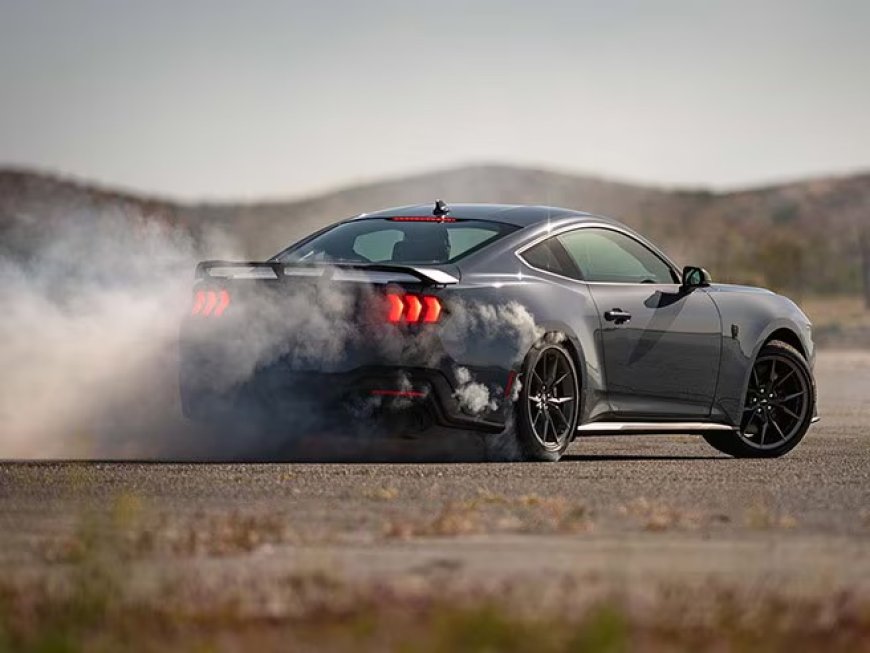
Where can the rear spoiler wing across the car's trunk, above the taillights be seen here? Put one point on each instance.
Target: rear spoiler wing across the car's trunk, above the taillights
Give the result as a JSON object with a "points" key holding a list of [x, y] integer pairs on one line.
{"points": [[371, 273]]}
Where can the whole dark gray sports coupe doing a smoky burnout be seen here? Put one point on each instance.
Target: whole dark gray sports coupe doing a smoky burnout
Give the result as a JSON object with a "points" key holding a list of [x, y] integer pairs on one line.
{"points": [[529, 325]]}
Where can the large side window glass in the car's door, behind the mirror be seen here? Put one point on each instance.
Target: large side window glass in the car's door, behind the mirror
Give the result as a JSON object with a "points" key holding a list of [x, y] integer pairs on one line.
{"points": [[610, 256]]}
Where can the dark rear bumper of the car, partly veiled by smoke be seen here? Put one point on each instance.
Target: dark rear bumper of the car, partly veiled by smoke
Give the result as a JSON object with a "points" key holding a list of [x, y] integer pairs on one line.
{"points": [[402, 398]]}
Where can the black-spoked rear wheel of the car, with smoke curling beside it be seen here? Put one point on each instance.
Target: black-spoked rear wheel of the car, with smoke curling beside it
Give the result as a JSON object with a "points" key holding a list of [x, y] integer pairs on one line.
{"points": [[549, 403]]}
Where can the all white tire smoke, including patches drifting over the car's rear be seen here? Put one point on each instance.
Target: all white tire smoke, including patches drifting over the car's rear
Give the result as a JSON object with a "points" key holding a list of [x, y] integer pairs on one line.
{"points": [[89, 337]]}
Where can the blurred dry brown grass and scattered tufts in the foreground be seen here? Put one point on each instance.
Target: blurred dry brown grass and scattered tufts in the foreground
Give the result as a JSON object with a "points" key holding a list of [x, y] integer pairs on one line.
{"points": [[97, 607]]}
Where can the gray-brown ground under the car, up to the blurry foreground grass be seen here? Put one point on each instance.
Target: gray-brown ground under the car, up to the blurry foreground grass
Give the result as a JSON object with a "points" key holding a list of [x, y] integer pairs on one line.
{"points": [[628, 517]]}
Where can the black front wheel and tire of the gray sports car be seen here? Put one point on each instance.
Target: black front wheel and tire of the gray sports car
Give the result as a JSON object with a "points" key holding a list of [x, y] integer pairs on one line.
{"points": [[778, 407]]}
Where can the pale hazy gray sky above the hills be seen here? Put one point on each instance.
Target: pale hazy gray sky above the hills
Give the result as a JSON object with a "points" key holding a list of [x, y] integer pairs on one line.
{"points": [[209, 99]]}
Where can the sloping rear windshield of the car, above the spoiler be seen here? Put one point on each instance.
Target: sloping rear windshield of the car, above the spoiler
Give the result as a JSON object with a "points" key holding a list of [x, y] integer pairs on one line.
{"points": [[385, 240]]}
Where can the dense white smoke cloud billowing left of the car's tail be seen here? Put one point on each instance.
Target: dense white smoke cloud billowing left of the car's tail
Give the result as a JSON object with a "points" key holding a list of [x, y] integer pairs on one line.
{"points": [[87, 338]]}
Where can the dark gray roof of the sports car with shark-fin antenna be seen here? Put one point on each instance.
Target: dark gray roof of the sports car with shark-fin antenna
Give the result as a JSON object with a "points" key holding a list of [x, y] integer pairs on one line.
{"points": [[515, 214]]}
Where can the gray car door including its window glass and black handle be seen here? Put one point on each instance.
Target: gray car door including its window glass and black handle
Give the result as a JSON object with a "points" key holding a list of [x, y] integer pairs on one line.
{"points": [[660, 344]]}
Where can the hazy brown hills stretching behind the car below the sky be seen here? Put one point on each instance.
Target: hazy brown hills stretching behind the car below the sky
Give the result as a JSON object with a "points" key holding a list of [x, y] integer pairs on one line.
{"points": [[803, 237]]}
